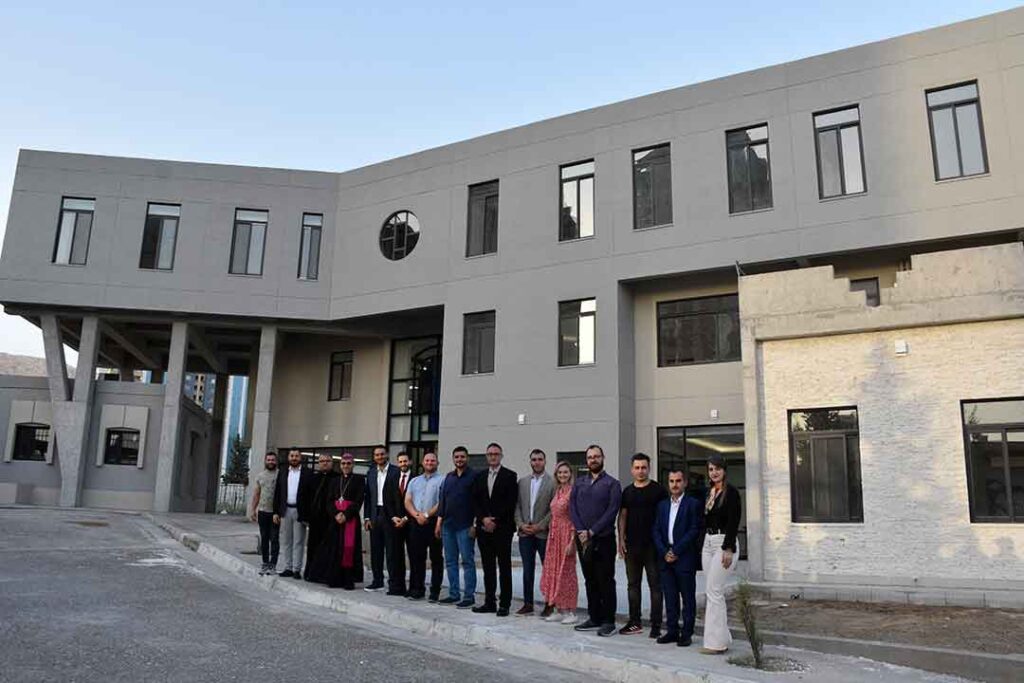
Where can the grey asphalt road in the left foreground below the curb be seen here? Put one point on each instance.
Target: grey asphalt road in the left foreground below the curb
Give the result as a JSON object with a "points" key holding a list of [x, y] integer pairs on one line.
{"points": [[91, 596]]}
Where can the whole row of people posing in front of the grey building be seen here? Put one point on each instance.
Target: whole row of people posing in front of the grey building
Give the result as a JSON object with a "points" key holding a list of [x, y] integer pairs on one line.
{"points": [[318, 518]]}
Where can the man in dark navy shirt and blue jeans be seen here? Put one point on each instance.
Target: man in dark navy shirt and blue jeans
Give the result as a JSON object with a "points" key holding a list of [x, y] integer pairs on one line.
{"points": [[455, 529]]}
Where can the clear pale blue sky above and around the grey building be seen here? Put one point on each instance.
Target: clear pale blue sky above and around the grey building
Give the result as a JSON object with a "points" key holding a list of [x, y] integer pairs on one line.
{"points": [[333, 87]]}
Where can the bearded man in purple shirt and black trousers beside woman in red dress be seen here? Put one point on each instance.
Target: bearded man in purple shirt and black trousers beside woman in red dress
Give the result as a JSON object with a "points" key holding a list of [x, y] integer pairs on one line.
{"points": [[593, 506]]}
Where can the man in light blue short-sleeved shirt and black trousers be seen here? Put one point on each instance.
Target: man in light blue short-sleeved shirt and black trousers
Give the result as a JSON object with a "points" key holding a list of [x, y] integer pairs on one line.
{"points": [[422, 499]]}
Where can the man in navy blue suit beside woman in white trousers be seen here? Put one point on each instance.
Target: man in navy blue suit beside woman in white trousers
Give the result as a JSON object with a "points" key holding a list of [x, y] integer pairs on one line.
{"points": [[677, 531]]}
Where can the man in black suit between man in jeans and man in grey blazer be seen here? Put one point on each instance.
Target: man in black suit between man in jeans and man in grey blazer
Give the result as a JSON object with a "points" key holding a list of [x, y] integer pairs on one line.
{"points": [[495, 495]]}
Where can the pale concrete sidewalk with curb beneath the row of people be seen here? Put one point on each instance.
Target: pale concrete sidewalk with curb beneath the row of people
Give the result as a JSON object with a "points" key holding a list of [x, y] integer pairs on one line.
{"points": [[230, 544]]}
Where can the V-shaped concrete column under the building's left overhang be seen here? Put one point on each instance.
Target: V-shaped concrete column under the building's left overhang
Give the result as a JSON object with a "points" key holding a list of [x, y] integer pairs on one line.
{"points": [[71, 413]]}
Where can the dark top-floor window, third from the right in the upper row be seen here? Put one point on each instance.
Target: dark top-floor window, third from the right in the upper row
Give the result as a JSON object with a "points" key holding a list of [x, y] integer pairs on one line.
{"points": [[749, 170]]}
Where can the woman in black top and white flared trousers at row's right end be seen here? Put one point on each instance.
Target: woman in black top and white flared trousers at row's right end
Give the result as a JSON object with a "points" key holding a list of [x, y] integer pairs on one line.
{"points": [[722, 513]]}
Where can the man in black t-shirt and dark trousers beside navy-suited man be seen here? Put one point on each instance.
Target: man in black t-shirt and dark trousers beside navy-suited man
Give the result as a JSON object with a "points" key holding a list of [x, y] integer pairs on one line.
{"points": [[636, 545]]}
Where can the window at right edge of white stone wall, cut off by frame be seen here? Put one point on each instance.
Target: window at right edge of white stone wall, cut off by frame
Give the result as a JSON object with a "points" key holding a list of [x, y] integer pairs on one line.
{"points": [[994, 437]]}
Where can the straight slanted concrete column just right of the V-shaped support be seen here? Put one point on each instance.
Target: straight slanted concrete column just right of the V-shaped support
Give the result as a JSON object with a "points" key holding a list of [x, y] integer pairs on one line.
{"points": [[167, 459]]}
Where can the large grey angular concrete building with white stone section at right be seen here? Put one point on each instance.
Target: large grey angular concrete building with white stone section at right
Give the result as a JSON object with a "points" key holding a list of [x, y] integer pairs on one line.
{"points": [[815, 269]]}
